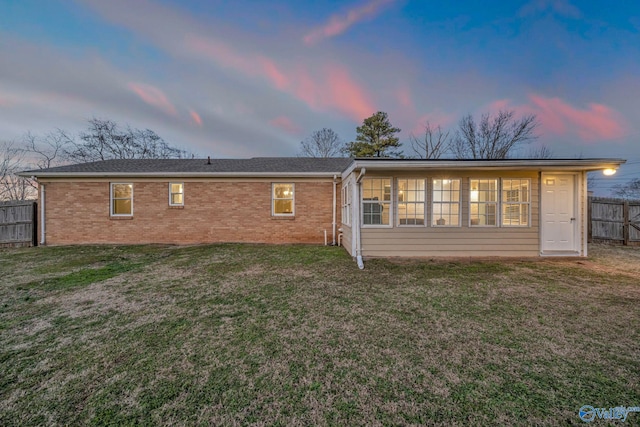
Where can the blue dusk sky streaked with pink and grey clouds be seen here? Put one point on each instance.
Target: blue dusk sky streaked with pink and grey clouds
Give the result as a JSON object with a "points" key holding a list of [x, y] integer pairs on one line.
{"points": [[247, 78]]}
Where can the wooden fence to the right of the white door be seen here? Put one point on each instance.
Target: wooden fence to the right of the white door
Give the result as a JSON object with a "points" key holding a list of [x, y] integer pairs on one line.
{"points": [[614, 220]]}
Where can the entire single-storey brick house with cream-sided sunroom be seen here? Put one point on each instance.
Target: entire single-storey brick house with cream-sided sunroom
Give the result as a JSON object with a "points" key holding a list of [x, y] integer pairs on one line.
{"points": [[373, 206]]}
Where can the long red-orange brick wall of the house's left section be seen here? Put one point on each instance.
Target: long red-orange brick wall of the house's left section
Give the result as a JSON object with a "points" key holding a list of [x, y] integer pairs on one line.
{"points": [[214, 211]]}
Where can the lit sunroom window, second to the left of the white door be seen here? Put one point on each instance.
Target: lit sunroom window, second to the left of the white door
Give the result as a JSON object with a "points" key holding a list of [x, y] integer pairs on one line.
{"points": [[483, 202]]}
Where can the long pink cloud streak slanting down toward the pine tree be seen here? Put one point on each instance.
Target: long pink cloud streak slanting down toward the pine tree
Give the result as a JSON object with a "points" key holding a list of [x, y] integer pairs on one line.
{"points": [[328, 87]]}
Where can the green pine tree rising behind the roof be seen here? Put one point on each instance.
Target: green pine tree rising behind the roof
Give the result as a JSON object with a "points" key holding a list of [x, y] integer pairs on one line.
{"points": [[376, 138]]}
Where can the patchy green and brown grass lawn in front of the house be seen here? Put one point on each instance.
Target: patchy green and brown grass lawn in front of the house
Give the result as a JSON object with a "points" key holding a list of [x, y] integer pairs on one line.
{"points": [[297, 335]]}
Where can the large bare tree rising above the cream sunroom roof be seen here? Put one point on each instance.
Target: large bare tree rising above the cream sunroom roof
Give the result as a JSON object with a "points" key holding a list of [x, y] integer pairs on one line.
{"points": [[494, 137]]}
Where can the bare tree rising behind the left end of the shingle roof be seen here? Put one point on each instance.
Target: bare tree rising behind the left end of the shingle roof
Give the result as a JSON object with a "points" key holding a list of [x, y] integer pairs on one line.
{"points": [[105, 139]]}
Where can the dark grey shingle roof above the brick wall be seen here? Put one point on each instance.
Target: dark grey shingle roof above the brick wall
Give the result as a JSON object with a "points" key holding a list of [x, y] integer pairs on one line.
{"points": [[260, 165]]}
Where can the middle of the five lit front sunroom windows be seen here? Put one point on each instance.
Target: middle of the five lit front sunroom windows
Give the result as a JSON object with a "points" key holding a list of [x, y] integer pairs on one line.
{"points": [[445, 203]]}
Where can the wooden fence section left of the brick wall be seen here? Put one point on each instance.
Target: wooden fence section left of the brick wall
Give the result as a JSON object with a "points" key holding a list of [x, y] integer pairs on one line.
{"points": [[18, 223]]}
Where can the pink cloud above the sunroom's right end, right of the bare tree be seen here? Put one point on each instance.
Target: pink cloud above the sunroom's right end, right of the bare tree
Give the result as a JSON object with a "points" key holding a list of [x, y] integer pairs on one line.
{"points": [[597, 122]]}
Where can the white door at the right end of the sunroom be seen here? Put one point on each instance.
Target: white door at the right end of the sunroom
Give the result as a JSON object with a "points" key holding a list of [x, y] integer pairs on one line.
{"points": [[559, 221]]}
